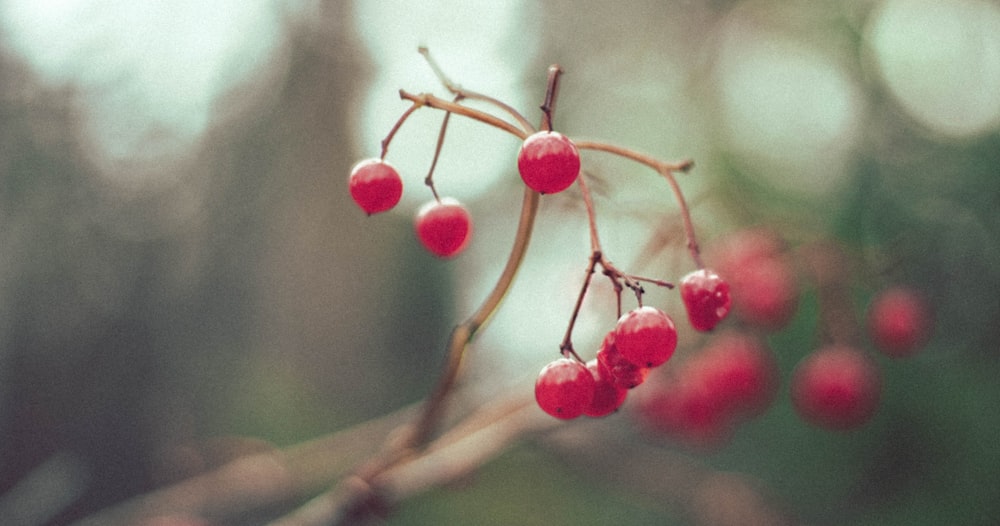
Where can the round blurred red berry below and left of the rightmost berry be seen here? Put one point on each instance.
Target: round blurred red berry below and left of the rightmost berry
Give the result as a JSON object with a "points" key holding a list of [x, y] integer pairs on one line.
{"points": [[836, 387]]}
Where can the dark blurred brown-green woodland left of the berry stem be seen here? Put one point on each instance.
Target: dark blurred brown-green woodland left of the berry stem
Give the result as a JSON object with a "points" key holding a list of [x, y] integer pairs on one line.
{"points": [[134, 330]]}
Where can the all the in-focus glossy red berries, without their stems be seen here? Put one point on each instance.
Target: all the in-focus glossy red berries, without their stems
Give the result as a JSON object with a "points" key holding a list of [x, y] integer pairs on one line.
{"points": [[644, 338]]}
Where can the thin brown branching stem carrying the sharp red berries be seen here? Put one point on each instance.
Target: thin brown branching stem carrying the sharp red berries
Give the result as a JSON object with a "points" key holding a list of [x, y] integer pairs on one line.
{"points": [[357, 495]]}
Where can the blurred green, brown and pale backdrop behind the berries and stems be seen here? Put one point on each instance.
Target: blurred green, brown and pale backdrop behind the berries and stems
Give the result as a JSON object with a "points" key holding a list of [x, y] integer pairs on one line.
{"points": [[184, 278]]}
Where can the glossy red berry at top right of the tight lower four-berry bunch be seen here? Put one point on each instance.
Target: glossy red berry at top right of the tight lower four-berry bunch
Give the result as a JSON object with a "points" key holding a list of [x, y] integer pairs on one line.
{"points": [[646, 337]]}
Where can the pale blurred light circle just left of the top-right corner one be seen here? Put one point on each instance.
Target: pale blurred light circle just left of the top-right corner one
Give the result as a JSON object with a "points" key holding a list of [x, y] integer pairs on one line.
{"points": [[792, 113]]}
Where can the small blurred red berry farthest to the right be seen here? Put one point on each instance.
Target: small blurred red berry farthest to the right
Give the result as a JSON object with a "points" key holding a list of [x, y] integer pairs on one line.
{"points": [[899, 322]]}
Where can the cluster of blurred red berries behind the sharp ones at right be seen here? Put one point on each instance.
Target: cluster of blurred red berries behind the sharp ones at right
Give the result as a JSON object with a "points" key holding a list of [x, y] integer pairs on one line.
{"points": [[734, 377]]}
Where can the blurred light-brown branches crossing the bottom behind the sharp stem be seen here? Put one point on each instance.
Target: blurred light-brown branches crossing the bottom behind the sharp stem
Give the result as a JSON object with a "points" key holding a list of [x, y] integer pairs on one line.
{"points": [[605, 450]]}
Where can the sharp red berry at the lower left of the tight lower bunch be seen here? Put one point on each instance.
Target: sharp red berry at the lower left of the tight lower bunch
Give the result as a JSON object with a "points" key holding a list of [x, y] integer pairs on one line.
{"points": [[565, 388]]}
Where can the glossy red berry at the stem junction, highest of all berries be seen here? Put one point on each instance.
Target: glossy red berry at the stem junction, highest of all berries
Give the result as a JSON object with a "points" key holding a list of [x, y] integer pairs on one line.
{"points": [[548, 162]]}
